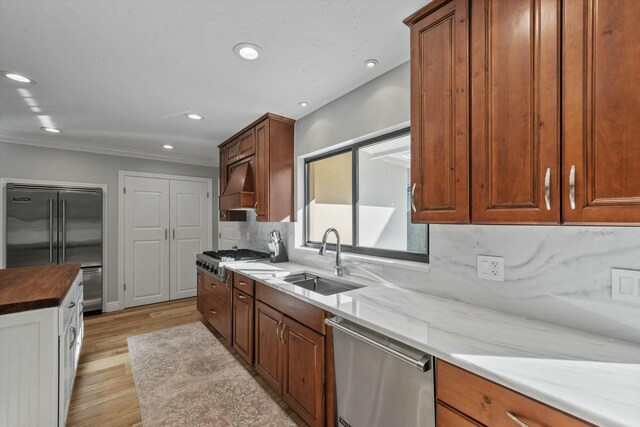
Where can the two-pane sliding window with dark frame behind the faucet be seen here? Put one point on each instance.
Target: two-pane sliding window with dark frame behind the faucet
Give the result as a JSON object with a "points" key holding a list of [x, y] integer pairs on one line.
{"points": [[363, 191]]}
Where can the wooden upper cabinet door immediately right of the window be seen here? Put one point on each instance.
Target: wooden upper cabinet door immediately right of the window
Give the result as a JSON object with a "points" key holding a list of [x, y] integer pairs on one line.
{"points": [[439, 113]]}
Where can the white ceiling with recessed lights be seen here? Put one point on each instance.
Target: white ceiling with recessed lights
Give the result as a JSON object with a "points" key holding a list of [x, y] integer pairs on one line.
{"points": [[118, 76]]}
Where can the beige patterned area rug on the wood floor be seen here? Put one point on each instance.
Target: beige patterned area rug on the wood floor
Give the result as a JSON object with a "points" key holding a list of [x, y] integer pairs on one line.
{"points": [[184, 376]]}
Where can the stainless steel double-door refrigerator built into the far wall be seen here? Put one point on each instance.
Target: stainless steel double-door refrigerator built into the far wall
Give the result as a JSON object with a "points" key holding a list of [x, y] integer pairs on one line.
{"points": [[57, 225]]}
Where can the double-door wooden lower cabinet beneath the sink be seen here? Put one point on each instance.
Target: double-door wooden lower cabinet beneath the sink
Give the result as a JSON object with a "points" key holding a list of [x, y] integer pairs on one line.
{"points": [[290, 354]]}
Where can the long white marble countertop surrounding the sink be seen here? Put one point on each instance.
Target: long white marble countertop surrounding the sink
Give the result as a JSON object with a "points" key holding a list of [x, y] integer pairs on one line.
{"points": [[590, 376]]}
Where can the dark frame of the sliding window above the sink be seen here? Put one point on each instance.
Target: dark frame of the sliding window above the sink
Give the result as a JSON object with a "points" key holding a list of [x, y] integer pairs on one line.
{"points": [[354, 248]]}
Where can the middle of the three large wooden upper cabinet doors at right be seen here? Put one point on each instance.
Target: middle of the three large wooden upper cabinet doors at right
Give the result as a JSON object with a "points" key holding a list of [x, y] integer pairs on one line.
{"points": [[515, 104]]}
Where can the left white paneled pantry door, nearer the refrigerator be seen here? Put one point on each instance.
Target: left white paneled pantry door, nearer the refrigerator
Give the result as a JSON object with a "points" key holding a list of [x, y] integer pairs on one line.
{"points": [[146, 238]]}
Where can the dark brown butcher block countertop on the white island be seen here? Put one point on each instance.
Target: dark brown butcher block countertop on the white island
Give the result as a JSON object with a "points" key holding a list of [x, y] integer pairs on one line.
{"points": [[32, 288]]}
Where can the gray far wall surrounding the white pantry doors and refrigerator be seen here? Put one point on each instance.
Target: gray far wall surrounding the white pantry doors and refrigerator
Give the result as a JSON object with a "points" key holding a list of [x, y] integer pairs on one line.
{"points": [[30, 162]]}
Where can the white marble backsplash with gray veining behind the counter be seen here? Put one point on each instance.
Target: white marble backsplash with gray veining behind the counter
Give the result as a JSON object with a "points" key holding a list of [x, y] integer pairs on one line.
{"points": [[557, 274]]}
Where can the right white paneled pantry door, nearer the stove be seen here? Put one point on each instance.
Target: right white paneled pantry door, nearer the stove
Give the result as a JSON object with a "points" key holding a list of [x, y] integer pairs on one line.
{"points": [[190, 234]]}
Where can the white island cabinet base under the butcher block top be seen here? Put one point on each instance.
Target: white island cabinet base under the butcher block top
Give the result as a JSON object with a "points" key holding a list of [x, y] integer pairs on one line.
{"points": [[39, 351]]}
